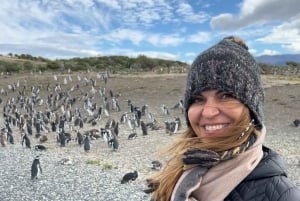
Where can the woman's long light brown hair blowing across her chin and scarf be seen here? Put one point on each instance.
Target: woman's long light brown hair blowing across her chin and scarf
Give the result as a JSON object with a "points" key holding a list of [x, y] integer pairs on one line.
{"points": [[164, 181]]}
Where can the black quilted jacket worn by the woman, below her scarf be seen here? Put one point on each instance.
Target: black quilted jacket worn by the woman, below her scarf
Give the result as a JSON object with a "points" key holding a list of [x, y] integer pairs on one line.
{"points": [[267, 182]]}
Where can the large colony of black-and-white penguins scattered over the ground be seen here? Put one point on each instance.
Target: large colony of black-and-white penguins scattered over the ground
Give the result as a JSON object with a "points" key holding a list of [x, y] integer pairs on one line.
{"points": [[77, 110]]}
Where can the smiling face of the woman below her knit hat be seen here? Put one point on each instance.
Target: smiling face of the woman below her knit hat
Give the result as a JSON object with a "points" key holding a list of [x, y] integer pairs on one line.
{"points": [[213, 112]]}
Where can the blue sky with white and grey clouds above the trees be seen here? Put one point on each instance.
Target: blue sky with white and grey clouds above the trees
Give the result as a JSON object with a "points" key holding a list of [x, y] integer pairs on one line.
{"points": [[167, 29]]}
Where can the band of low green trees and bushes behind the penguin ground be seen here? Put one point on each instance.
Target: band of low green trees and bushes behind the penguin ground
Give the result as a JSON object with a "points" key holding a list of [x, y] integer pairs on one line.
{"points": [[25, 63]]}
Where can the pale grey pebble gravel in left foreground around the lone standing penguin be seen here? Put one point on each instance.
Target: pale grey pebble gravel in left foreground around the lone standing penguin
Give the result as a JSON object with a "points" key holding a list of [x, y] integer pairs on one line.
{"points": [[78, 181]]}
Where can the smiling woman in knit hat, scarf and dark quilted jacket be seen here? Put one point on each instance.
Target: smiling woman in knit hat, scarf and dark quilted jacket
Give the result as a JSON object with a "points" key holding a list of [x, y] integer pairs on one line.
{"points": [[221, 154]]}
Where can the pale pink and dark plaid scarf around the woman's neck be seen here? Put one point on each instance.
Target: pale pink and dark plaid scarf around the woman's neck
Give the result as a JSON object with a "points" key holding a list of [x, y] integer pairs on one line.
{"points": [[205, 181]]}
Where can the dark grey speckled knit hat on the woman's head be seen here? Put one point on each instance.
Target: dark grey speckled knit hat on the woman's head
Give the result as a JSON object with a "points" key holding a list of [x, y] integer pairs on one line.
{"points": [[229, 67]]}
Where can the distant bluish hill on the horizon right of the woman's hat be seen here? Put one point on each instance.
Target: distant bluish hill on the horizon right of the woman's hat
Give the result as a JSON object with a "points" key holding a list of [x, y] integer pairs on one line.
{"points": [[278, 59]]}
